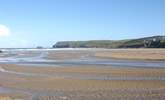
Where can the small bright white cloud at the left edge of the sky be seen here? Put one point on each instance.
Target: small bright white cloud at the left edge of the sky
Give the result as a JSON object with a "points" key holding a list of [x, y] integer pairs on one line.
{"points": [[4, 31]]}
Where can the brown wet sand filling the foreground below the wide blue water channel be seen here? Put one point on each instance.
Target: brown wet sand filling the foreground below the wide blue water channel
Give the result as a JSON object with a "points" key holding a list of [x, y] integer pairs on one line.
{"points": [[52, 82]]}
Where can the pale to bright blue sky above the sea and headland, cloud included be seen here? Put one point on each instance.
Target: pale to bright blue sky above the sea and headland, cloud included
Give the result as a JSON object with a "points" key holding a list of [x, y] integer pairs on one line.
{"points": [[31, 23]]}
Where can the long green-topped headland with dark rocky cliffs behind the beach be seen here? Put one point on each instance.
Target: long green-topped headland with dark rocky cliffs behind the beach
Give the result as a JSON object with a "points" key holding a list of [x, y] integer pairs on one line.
{"points": [[147, 42]]}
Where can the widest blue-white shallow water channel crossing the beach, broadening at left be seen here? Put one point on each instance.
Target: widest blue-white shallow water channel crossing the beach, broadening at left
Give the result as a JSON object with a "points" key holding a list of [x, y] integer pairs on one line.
{"points": [[40, 58]]}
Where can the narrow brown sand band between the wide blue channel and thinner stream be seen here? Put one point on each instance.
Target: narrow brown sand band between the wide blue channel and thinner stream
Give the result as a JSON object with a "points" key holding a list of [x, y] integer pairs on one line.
{"points": [[83, 70]]}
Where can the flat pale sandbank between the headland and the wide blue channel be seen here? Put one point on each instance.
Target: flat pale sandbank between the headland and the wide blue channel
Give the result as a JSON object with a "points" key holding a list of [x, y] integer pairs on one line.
{"points": [[140, 54]]}
